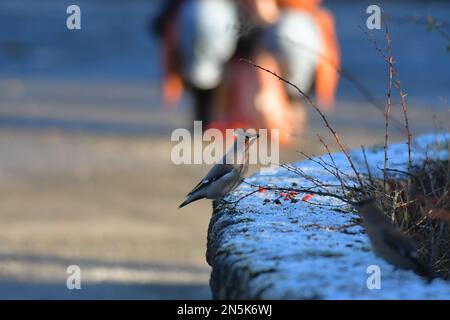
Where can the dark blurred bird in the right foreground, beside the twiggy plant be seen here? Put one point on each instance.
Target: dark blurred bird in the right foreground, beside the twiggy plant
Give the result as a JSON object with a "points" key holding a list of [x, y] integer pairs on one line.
{"points": [[389, 242]]}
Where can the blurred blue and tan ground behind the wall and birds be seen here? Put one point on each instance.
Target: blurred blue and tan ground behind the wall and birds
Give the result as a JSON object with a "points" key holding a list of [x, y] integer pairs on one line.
{"points": [[85, 170]]}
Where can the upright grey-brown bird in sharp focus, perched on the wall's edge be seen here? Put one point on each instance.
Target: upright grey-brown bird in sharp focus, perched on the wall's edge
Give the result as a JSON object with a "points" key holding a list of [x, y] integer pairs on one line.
{"points": [[226, 175]]}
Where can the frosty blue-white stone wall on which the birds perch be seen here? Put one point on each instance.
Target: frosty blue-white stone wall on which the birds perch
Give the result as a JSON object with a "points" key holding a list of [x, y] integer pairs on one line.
{"points": [[302, 251]]}
